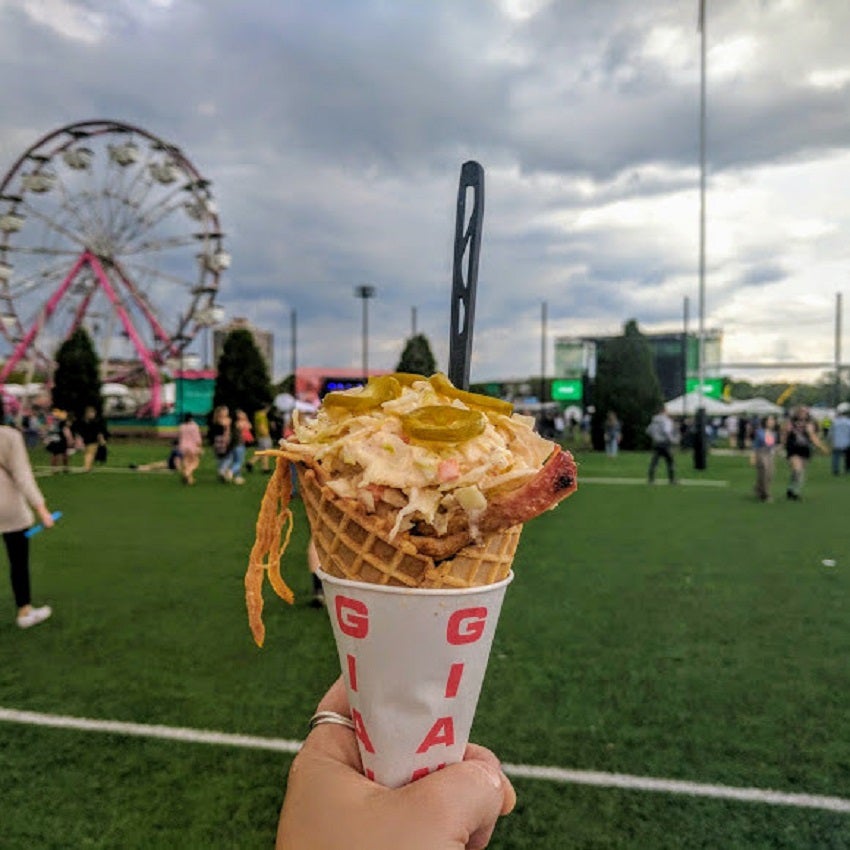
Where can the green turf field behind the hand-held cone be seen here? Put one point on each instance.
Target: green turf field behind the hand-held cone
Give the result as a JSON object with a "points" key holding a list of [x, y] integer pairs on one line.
{"points": [[682, 633]]}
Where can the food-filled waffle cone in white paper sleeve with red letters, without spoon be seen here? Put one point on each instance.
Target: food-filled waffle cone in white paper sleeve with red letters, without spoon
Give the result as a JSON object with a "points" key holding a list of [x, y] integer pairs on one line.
{"points": [[416, 493]]}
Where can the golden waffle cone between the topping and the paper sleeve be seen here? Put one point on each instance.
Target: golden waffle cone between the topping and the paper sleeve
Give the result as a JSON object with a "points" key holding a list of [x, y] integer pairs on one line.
{"points": [[352, 544]]}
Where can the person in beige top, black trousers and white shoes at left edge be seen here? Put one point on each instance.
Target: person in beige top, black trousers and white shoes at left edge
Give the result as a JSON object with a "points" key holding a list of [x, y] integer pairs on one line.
{"points": [[19, 497]]}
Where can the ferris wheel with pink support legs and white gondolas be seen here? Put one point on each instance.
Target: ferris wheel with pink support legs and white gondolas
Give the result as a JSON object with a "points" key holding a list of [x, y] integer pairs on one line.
{"points": [[106, 226]]}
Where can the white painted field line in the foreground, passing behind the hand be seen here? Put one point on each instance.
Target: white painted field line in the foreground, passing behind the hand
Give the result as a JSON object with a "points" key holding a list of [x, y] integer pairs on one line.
{"points": [[519, 771]]}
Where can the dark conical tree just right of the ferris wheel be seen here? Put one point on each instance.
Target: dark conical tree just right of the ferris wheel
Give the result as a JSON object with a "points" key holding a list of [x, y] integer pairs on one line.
{"points": [[243, 378]]}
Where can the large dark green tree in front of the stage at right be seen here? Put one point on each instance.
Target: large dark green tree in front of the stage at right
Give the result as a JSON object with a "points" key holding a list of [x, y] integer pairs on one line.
{"points": [[626, 382]]}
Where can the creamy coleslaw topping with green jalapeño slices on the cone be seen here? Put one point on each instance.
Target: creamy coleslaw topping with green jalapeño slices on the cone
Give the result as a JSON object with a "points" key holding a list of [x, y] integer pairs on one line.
{"points": [[418, 450]]}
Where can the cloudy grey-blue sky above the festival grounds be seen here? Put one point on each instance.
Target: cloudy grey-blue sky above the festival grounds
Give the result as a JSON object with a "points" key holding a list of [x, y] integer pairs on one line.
{"points": [[333, 132]]}
